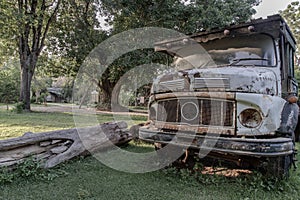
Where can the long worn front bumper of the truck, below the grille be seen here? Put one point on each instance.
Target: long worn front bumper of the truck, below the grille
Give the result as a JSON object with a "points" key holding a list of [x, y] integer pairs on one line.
{"points": [[227, 145]]}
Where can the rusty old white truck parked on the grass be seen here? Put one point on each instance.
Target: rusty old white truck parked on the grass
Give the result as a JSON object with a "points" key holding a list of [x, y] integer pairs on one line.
{"points": [[231, 96]]}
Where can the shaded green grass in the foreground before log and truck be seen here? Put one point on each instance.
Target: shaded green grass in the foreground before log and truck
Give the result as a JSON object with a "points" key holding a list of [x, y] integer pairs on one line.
{"points": [[87, 178]]}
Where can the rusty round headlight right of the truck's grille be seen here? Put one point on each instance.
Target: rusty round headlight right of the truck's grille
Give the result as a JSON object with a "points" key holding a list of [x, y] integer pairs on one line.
{"points": [[250, 118]]}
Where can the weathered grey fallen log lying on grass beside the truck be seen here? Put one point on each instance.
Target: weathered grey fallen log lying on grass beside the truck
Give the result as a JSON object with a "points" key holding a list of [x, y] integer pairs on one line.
{"points": [[55, 147]]}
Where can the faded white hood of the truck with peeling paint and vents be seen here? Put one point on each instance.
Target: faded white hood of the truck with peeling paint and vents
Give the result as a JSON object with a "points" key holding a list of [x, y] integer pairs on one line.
{"points": [[234, 79]]}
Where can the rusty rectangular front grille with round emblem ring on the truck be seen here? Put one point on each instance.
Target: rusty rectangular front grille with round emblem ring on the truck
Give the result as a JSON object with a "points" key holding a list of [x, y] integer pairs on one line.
{"points": [[196, 112]]}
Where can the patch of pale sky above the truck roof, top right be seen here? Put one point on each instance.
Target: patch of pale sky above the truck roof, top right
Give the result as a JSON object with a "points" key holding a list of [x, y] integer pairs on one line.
{"points": [[270, 7]]}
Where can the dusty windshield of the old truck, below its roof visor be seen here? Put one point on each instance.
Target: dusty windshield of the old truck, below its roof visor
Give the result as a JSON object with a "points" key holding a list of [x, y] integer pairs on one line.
{"points": [[253, 50]]}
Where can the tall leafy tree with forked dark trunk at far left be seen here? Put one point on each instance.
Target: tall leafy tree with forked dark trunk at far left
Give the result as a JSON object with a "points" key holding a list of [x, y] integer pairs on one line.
{"points": [[28, 22]]}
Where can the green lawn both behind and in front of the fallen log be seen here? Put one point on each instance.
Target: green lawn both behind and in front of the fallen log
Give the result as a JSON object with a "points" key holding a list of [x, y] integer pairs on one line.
{"points": [[87, 178]]}
